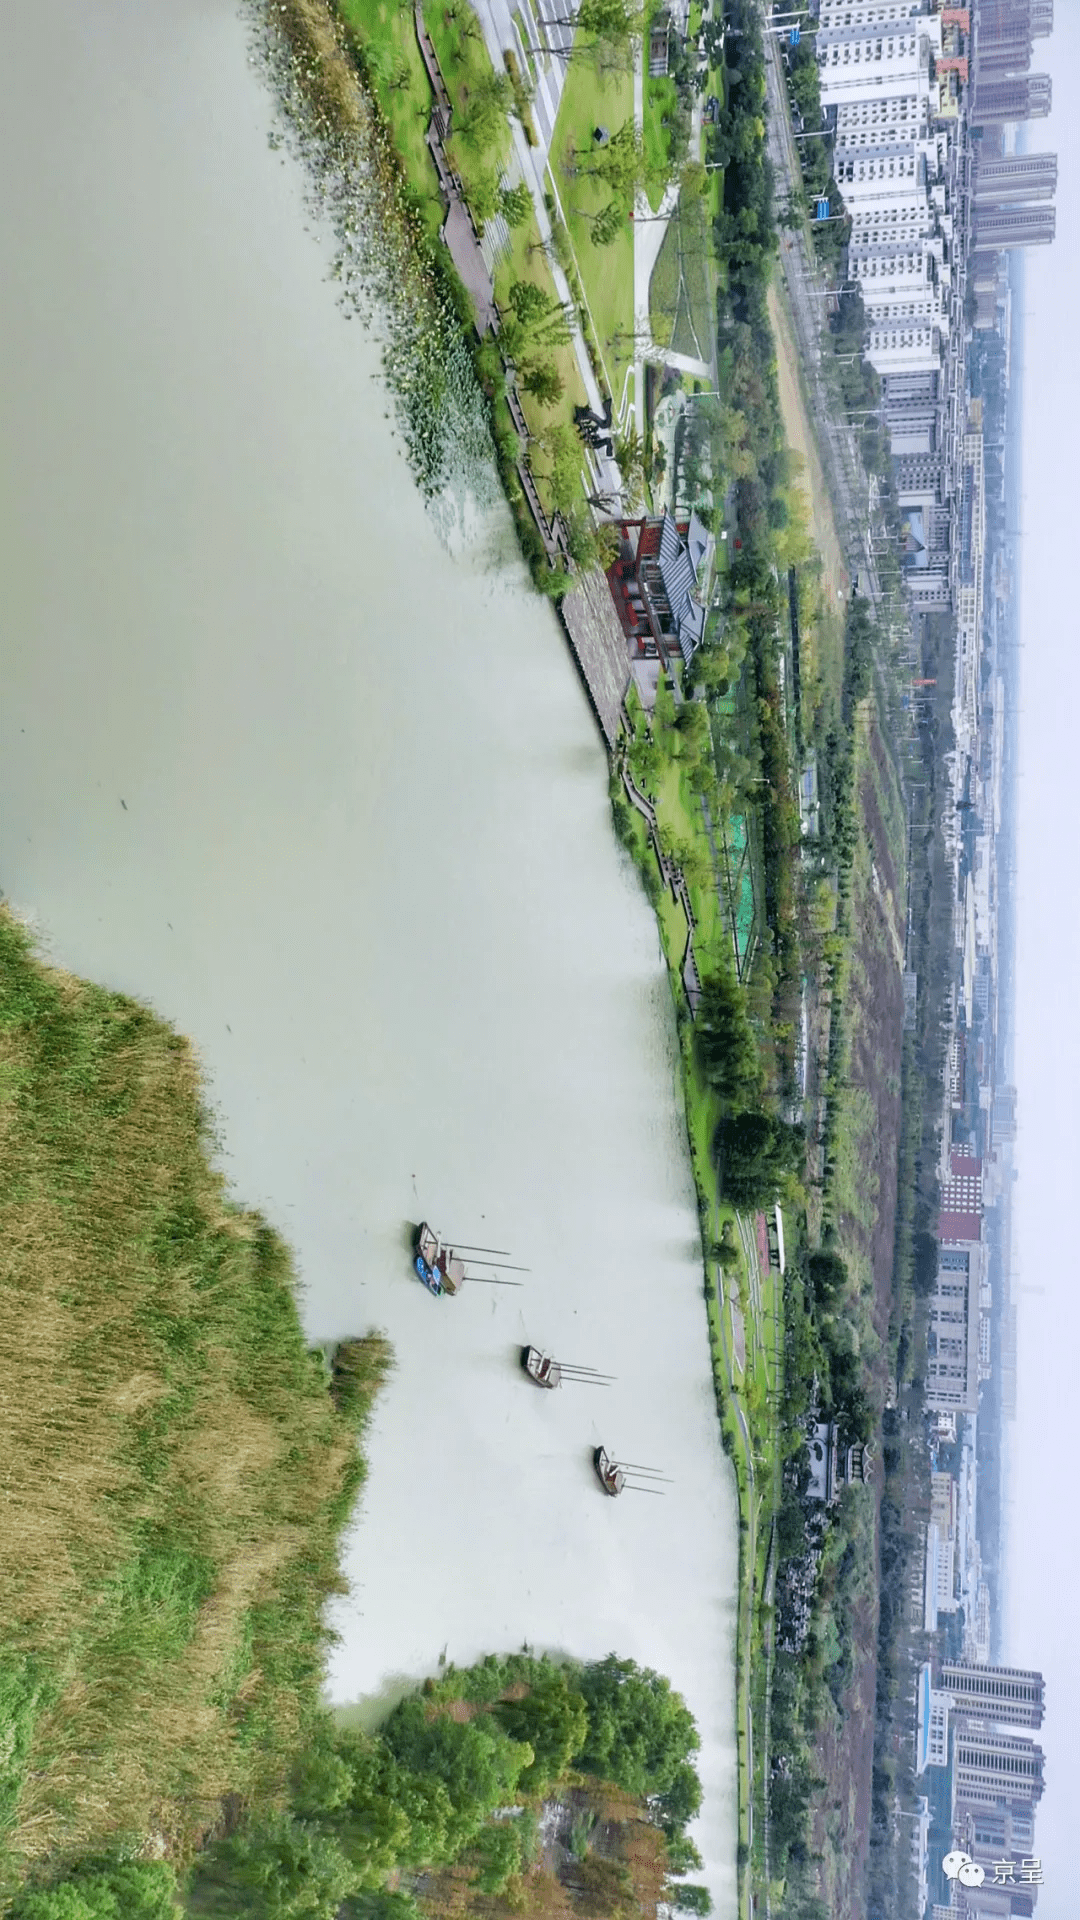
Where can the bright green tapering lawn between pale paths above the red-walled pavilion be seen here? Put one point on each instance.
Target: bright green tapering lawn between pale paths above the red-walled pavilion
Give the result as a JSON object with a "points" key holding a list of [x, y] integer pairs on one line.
{"points": [[593, 99]]}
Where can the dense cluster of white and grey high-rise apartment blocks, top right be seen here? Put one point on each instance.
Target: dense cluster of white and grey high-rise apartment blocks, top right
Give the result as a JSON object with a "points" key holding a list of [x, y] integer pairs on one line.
{"points": [[925, 103]]}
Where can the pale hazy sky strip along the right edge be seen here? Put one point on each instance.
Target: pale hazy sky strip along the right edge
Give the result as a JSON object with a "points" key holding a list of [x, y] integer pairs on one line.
{"points": [[1043, 1620]]}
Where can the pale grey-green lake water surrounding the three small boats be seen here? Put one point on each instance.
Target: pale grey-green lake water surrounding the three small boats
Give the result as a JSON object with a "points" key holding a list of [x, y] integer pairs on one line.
{"points": [[335, 804]]}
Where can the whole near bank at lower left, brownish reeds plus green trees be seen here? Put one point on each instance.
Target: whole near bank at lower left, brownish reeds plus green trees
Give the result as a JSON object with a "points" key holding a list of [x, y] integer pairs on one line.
{"points": [[180, 1468]]}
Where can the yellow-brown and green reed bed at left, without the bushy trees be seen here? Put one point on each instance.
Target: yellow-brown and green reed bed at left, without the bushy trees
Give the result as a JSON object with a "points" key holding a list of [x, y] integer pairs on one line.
{"points": [[174, 1470]]}
